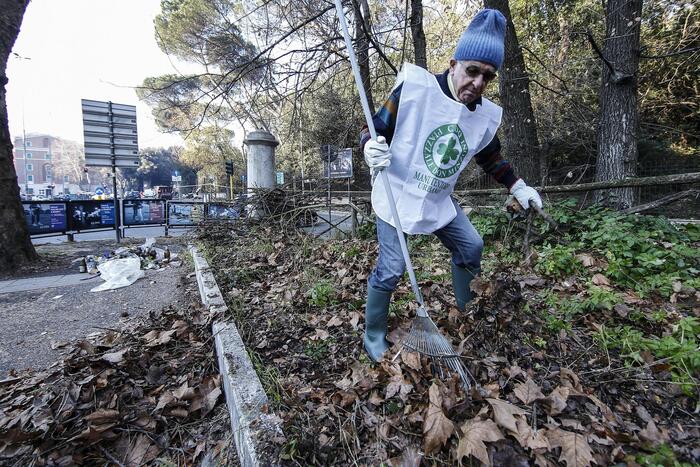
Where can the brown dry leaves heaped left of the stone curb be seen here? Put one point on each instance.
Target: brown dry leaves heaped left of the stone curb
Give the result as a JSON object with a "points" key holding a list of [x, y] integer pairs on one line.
{"points": [[128, 397]]}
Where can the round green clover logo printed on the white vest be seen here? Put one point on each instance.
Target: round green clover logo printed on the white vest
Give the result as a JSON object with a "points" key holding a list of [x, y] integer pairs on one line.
{"points": [[444, 150]]}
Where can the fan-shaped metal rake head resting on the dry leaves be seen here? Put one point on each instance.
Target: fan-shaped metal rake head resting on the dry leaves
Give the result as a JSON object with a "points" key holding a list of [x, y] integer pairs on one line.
{"points": [[425, 338]]}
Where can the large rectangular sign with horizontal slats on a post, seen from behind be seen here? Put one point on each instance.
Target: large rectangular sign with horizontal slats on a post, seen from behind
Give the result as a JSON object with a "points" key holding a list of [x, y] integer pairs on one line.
{"points": [[111, 140]]}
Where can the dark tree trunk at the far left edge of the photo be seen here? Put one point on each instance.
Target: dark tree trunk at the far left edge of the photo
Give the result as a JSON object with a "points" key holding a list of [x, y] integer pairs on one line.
{"points": [[15, 244]]}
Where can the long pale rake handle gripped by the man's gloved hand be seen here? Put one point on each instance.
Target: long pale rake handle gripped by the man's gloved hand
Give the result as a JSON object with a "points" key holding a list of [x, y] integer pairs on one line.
{"points": [[385, 179]]}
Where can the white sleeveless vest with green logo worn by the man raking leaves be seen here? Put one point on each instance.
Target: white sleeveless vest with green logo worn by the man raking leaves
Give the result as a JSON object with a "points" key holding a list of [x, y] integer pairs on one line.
{"points": [[434, 140]]}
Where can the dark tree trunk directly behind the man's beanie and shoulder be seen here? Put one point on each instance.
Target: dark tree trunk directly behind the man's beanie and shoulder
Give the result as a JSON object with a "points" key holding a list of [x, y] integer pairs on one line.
{"points": [[520, 143]]}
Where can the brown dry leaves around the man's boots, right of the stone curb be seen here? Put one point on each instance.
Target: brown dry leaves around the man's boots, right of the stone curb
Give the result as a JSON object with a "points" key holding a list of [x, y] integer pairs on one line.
{"points": [[298, 304]]}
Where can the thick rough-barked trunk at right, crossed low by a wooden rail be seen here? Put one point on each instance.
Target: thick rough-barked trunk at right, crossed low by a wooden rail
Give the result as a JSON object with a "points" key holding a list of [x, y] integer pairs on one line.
{"points": [[619, 118]]}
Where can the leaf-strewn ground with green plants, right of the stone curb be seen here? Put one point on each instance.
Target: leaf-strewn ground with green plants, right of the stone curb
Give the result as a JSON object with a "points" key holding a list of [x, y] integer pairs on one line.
{"points": [[589, 356]]}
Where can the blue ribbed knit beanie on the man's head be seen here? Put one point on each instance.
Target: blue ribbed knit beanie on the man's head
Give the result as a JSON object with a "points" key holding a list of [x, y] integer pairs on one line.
{"points": [[483, 39]]}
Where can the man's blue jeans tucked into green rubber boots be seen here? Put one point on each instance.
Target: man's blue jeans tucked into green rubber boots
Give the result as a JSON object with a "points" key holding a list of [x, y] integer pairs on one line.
{"points": [[459, 236]]}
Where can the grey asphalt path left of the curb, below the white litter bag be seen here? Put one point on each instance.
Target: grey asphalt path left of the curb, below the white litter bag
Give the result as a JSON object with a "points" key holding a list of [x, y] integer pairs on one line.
{"points": [[48, 312]]}
